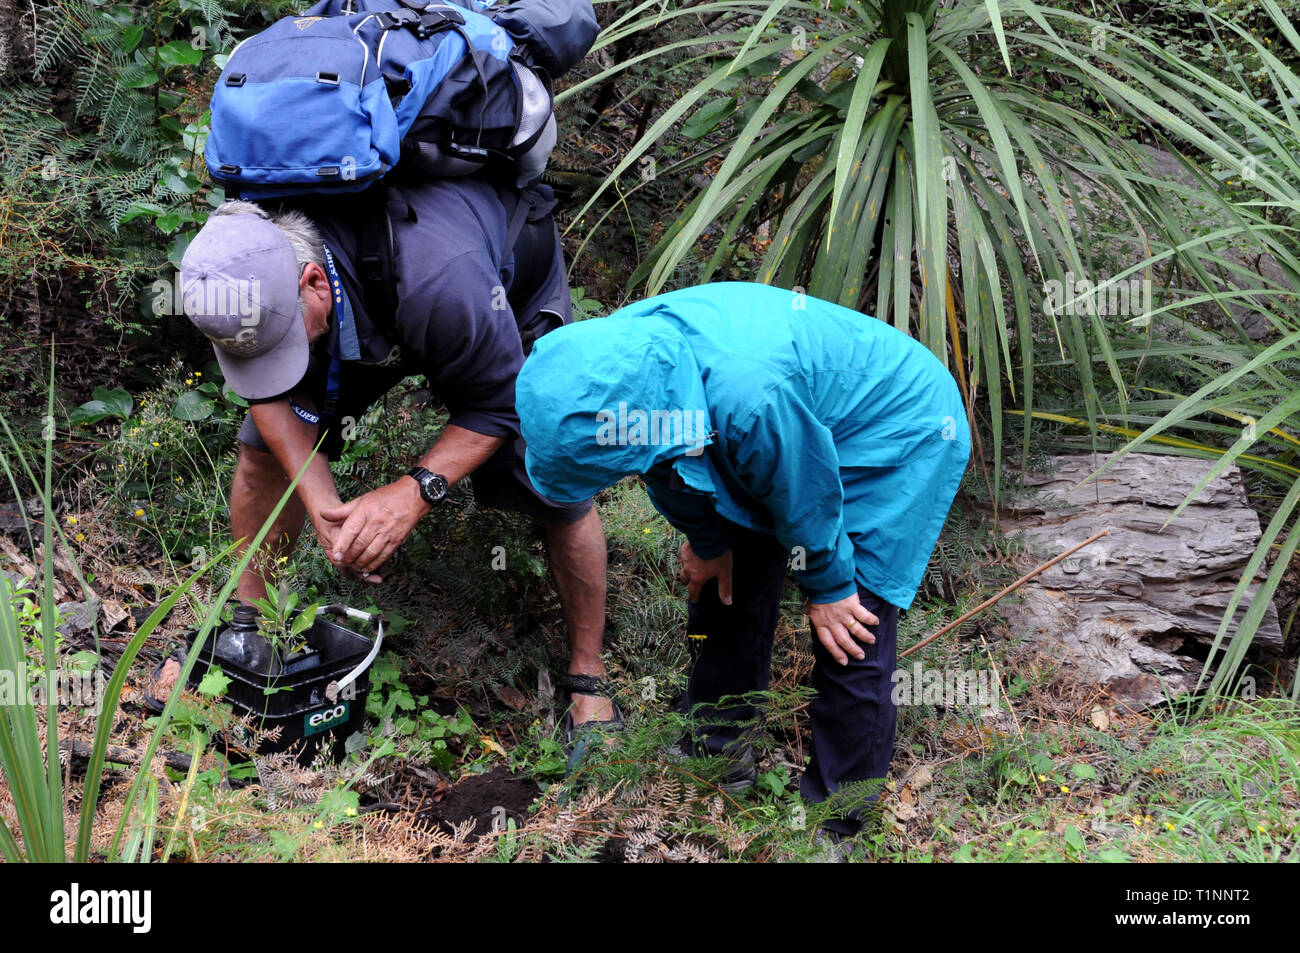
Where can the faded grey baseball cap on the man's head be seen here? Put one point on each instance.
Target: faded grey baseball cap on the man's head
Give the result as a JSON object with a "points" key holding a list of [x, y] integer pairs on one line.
{"points": [[240, 287]]}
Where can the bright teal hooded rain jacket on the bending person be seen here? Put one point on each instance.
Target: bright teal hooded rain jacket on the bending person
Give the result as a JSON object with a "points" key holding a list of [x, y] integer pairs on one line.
{"points": [[786, 414]]}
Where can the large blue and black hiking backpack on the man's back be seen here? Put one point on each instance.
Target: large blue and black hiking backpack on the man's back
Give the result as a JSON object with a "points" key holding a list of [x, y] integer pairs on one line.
{"points": [[333, 99]]}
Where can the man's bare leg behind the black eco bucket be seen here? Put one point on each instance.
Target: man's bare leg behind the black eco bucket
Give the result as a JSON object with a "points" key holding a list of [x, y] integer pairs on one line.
{"points": [[259, 483]]}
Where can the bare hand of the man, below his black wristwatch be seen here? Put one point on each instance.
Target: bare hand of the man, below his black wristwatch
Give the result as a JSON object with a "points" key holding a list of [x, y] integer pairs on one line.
{"points": [[374, 526]]}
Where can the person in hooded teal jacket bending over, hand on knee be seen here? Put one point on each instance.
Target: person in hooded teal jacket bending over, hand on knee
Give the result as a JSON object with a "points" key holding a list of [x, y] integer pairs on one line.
{"points": [[774, 430]]}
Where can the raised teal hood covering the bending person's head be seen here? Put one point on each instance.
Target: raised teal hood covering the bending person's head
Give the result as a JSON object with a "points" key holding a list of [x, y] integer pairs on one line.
{"points": [[609, 397]]}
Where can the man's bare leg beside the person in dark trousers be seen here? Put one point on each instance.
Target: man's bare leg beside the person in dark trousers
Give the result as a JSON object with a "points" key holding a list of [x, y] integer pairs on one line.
{"points": [[578, 558]]}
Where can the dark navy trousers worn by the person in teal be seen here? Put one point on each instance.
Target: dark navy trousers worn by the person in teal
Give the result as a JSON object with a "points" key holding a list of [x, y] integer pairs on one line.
{"points": [[731, 648]]}
